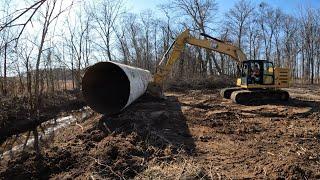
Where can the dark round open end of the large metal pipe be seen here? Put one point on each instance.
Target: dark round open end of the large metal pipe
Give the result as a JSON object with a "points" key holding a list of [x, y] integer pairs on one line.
{"points": [[106, 88]]}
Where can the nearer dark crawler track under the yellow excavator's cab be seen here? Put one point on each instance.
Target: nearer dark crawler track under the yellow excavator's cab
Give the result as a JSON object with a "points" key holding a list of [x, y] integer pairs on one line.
{"points": [[259, 96]]}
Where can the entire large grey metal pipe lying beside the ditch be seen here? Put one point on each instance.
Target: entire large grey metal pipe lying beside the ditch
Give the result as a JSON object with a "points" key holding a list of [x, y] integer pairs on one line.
{"points": [[109, 87]]}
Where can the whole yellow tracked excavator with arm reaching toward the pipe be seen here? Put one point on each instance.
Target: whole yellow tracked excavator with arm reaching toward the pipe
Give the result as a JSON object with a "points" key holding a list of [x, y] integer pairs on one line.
{"points": [[259, 80]]}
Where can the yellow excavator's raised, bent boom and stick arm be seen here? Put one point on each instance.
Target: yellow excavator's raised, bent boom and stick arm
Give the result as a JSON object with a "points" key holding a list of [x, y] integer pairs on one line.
{"points": [[177, 47]]}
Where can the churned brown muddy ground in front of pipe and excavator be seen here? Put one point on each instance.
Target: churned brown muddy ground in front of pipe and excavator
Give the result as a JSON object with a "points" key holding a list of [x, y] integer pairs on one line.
{"points": [[192, 134]]}
